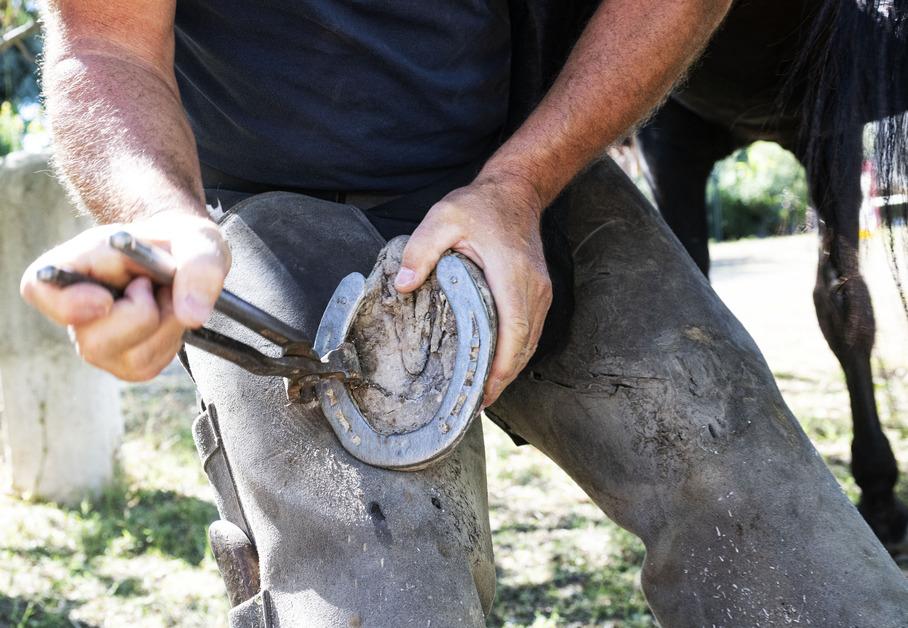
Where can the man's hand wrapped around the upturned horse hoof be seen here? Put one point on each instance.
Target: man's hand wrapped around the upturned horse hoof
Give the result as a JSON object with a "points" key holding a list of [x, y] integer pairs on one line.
{"points": [[496, 224]]}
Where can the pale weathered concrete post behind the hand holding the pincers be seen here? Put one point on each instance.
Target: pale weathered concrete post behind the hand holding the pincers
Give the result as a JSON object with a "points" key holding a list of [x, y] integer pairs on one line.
{"points": [[60, 421]]}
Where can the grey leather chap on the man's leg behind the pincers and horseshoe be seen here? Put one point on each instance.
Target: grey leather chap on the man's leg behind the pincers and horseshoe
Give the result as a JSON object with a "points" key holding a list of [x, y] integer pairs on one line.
{"points": [[339, 542]]}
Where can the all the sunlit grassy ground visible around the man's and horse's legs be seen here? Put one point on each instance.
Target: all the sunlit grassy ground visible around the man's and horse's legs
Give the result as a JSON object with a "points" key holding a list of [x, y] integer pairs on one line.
{"points": [[137, 556]]}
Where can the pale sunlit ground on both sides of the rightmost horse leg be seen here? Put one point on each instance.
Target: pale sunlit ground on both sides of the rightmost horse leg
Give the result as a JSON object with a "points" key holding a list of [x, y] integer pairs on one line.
{"points": [[768, 285]]}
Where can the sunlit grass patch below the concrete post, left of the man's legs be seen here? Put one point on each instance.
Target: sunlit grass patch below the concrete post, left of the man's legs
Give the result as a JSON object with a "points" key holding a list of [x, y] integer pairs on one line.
{"points": [[137, 554]]}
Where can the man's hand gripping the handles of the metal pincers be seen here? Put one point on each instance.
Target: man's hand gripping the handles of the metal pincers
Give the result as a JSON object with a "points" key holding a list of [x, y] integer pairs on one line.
{"points": [[137, 336]]}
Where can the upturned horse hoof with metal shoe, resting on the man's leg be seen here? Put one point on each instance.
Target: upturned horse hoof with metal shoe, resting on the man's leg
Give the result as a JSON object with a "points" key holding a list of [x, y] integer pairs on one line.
{"points": [[424, 358]]}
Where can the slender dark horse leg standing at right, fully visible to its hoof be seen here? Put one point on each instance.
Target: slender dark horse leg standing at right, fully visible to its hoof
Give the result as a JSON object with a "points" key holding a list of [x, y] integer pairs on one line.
{"points": [[845, 314]]}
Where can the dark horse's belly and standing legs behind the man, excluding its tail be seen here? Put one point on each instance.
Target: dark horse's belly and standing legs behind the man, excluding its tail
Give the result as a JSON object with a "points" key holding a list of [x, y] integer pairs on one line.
{"points": [[731, 99]]}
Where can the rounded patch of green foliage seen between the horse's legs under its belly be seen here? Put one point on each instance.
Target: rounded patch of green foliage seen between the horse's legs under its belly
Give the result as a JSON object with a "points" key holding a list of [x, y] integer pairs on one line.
{"points": [[760, 190]]}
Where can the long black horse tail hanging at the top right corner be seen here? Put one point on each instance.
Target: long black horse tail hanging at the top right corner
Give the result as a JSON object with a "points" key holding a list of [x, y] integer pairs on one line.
{"points": [[853, 70]]}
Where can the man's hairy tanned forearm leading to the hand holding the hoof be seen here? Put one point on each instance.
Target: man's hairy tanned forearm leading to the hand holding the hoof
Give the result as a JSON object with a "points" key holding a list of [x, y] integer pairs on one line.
{"points": [[627, 59]]}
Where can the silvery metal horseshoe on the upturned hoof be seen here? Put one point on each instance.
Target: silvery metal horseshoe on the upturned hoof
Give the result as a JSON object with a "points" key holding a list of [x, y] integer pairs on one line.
{"points": [[438, 433]]}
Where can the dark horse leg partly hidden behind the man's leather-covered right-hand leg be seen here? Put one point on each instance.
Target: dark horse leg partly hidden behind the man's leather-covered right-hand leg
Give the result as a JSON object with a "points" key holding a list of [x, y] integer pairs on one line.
{"points": [[679, 150]]}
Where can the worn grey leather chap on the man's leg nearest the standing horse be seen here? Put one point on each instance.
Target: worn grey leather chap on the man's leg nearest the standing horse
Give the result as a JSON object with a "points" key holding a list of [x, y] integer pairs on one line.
{"points": [[660, 406]]}
